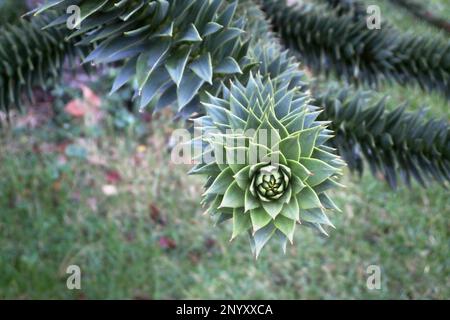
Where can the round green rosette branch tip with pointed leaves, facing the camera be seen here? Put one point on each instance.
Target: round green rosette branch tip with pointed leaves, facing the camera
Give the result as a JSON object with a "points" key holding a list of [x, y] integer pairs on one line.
{"points": [[278, 182]]}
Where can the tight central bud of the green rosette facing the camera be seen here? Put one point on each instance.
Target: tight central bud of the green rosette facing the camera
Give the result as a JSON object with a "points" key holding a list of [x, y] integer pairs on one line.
{"points": [[270, 182]]}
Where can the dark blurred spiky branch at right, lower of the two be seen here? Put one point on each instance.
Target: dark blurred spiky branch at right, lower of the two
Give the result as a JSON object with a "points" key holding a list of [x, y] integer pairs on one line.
{"points": [[395, 143]]}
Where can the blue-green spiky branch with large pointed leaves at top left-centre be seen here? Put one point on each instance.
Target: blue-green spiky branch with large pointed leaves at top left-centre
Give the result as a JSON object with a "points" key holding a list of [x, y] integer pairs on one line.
{"points": [[172, 48]]}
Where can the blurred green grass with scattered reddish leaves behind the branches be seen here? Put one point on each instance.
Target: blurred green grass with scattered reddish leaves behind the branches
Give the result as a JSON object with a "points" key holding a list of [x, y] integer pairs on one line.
{"points": [[85, 179]]}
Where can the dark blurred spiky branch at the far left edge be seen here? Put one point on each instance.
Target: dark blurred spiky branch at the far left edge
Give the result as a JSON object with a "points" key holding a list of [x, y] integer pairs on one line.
{"points": [[29, 56]]}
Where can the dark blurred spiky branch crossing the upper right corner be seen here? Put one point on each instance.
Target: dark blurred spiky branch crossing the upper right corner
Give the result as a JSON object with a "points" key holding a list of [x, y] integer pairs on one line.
{"points": [[328, 42]]}
